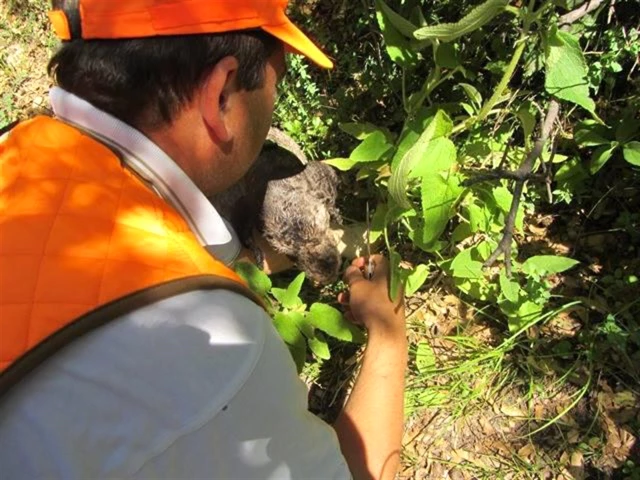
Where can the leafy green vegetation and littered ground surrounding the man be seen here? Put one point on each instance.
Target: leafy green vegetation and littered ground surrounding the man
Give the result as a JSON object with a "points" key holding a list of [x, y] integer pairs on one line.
{"points": [[499, 143]]}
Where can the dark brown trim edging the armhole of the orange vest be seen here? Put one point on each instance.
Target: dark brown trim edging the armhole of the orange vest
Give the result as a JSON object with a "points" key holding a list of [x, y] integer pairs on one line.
{"points": [[106, 313]]}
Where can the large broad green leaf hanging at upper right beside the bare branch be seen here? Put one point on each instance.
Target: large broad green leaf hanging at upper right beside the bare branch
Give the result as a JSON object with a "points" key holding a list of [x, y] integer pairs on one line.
{"points": [[566, 70]]}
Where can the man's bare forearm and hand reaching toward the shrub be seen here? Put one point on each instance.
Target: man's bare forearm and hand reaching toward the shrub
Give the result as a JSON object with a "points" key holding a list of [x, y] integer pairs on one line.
{"points": [[371, 425]]}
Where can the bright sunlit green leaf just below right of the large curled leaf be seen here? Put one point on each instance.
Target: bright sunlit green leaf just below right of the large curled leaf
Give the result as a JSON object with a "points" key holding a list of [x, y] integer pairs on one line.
{"points": [[439, 195]]}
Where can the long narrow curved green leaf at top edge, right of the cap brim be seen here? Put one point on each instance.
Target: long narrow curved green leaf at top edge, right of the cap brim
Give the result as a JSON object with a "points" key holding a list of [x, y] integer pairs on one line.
{"points": [[476, 18]]}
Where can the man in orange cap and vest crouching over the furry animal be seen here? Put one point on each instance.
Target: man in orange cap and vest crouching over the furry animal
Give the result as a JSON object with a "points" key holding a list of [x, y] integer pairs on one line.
{"points": [[105, 223]]}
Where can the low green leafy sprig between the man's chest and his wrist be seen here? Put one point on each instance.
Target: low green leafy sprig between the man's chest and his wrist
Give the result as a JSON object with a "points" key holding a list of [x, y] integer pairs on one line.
{"points": [[299, 325]]}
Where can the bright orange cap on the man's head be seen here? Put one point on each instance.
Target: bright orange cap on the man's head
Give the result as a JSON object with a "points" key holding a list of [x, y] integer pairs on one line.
{"points": [[107, 19]]}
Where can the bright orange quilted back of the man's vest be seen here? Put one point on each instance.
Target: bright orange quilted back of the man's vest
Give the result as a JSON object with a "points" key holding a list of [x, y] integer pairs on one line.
{"points": [[78, 230]]}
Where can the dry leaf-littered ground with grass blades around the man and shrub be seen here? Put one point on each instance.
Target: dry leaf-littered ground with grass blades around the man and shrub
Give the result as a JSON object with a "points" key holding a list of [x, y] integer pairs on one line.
{"points": [[480, 403]]}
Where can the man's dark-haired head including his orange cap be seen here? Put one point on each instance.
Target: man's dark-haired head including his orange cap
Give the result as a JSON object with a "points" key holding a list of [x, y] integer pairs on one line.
{"points": [[191, 74]]}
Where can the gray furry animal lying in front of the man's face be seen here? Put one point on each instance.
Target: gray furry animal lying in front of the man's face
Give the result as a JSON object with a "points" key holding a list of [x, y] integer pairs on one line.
{"points": [[292, 202]]}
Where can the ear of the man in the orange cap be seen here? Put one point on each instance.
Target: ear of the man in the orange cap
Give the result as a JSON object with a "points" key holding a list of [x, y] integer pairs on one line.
{"points": [[218, 86]]}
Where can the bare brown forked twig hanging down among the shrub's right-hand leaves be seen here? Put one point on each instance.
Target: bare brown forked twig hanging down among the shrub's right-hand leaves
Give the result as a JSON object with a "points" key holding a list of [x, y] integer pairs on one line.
{"points": [[525, 169]]}
